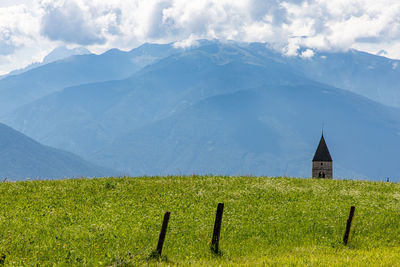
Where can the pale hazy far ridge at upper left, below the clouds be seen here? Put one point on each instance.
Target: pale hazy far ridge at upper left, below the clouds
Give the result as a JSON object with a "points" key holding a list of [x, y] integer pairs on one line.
{"points": [[18, 90]]}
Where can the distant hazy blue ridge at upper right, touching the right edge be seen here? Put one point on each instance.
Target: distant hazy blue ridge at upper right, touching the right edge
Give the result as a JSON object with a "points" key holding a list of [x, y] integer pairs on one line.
{"points": [[377, 78]]}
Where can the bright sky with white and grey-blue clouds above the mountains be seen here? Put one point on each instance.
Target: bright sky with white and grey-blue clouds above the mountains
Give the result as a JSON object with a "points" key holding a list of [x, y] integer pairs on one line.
{"points": [[30, 29]]}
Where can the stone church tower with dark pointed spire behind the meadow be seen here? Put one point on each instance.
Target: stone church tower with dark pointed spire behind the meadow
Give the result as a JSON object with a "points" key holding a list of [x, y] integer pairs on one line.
{"points": [[322, 161]]}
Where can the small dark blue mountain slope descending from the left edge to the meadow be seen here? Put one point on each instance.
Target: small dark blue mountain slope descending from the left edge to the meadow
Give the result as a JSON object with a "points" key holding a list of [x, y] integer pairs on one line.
{"points": [[22, 158]]}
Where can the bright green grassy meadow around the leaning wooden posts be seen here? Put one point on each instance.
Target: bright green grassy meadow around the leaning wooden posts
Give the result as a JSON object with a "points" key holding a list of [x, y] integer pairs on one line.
{"points": [[266, 221]]}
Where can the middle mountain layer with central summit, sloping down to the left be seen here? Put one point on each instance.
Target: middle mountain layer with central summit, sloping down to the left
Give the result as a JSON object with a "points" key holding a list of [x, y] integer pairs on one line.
{"points": [[82, 119]]}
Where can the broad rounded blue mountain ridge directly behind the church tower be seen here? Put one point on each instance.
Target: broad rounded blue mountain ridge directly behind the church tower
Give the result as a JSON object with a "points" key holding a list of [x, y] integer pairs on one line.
{"points": [[273, 130]]}
